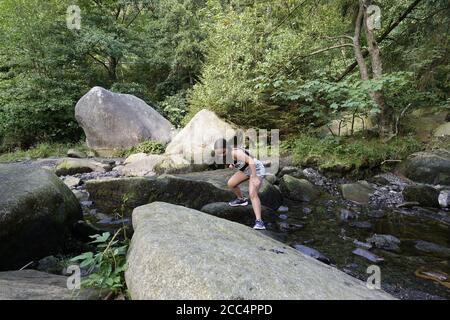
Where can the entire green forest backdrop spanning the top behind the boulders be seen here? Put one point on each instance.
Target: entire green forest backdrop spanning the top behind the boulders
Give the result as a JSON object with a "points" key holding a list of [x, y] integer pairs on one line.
{"points": [[271, 64]]}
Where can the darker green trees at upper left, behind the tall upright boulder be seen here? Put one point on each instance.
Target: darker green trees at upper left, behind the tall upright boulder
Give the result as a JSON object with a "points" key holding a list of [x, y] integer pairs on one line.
{"points": [[146, 48]]}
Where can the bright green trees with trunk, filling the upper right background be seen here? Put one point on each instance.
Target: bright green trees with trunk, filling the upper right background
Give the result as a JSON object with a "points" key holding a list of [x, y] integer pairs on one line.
{"points": [[300, 55]]}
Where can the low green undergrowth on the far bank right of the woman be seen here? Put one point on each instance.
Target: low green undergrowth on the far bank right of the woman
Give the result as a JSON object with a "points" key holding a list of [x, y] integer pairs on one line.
{"points": [[351, 154]]}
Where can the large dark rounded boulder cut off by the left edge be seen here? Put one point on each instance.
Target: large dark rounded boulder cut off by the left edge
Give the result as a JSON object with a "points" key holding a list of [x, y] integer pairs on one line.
{"points": [[37, 211]]}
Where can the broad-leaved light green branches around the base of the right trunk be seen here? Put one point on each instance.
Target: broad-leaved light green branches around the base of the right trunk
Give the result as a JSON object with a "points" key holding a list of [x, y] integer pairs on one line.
{"points": [[322, 100]]}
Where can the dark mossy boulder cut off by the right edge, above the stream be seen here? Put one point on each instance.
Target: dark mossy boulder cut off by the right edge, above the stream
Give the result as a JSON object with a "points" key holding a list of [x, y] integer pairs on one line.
{"points": [[431, 167]]}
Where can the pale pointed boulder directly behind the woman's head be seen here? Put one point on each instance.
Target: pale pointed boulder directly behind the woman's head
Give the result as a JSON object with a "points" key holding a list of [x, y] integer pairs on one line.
{"points": [[196, 140]]}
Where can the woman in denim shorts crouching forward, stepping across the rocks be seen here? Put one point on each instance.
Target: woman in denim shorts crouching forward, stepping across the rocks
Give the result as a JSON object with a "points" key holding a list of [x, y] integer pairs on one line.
{"points": [[249, 168]]}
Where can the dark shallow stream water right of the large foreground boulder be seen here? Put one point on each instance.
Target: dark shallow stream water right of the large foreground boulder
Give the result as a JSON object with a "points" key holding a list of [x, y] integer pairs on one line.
{"points": [[324, 232]]}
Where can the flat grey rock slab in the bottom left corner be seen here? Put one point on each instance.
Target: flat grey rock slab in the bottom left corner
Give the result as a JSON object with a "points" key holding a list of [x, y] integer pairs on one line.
{"points": [[37, 285]]}
